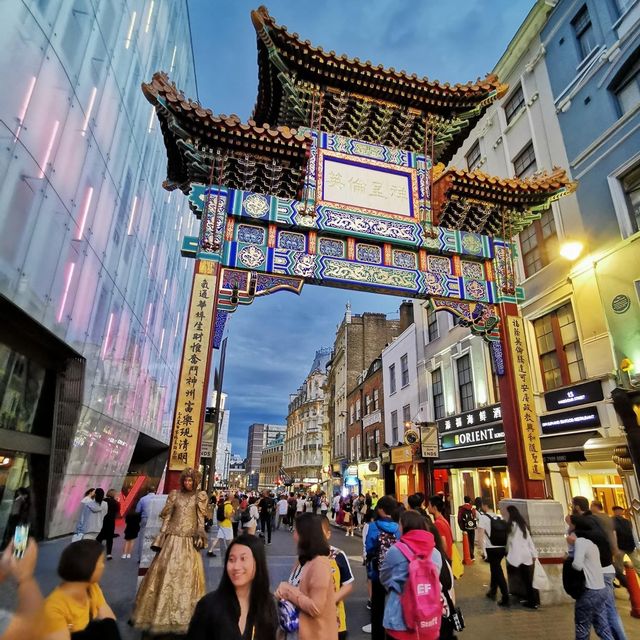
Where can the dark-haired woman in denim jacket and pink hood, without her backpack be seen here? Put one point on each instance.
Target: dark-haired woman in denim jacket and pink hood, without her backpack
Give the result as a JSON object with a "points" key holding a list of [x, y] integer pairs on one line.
{"points": [[394, 571]]}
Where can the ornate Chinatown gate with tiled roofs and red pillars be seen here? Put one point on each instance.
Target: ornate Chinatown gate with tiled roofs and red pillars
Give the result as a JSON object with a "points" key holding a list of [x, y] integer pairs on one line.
{"points": [[346, 187]]}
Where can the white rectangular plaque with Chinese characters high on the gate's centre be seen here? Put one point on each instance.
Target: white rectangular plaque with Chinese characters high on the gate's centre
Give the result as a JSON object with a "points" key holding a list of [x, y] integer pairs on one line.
{"points": [[369, 187]]}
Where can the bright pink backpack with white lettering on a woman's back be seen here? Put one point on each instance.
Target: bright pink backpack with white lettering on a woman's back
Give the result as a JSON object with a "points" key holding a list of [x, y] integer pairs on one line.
{"points": [[420, 599]]}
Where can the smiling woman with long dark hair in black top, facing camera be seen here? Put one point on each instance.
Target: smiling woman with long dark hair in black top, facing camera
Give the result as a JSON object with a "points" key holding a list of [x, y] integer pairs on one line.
{"points": [[242, 608]]}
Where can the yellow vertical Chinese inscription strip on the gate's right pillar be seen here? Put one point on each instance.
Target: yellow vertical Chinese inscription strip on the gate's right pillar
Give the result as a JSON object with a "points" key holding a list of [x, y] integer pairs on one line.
{"points": [[524, 392]]}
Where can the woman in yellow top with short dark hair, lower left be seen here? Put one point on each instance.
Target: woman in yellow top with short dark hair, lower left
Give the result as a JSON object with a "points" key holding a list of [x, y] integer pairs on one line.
{"points": [[77, 605]]}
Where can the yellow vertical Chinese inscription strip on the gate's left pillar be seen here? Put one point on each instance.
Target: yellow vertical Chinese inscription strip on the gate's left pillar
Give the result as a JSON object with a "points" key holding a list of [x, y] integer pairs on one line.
{"points": [[195, 360]]}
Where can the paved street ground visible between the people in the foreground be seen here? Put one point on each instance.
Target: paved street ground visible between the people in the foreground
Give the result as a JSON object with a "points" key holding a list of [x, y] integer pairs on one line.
{"points": [[483, 618]]}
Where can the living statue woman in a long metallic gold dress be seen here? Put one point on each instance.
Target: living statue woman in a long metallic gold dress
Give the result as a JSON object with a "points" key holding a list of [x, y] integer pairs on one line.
{"points": [[175, 581]]}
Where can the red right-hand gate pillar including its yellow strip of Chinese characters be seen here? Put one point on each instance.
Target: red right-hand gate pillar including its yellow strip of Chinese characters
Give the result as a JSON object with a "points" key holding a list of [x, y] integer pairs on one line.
{"points": [[521, 430]]}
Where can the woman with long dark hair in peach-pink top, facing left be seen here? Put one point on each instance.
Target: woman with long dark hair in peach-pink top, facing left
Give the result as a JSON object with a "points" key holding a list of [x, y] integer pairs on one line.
{"points": [[310, 587]]}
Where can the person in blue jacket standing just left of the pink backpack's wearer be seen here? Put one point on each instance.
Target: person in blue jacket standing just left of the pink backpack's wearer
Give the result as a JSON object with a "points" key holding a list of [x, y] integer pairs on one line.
{"points": [[382, 534]]}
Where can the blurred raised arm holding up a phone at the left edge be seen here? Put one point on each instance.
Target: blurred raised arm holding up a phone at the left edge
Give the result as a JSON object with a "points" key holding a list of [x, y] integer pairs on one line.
{"points": [[22, 624]]}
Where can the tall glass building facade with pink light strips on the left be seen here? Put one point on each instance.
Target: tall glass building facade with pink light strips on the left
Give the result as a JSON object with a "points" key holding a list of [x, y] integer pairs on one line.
{"points": [[93, 289]]}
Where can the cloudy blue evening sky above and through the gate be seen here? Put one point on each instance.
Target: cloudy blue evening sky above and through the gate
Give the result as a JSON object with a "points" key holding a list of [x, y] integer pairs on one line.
{"points": [[272, 342]]}
